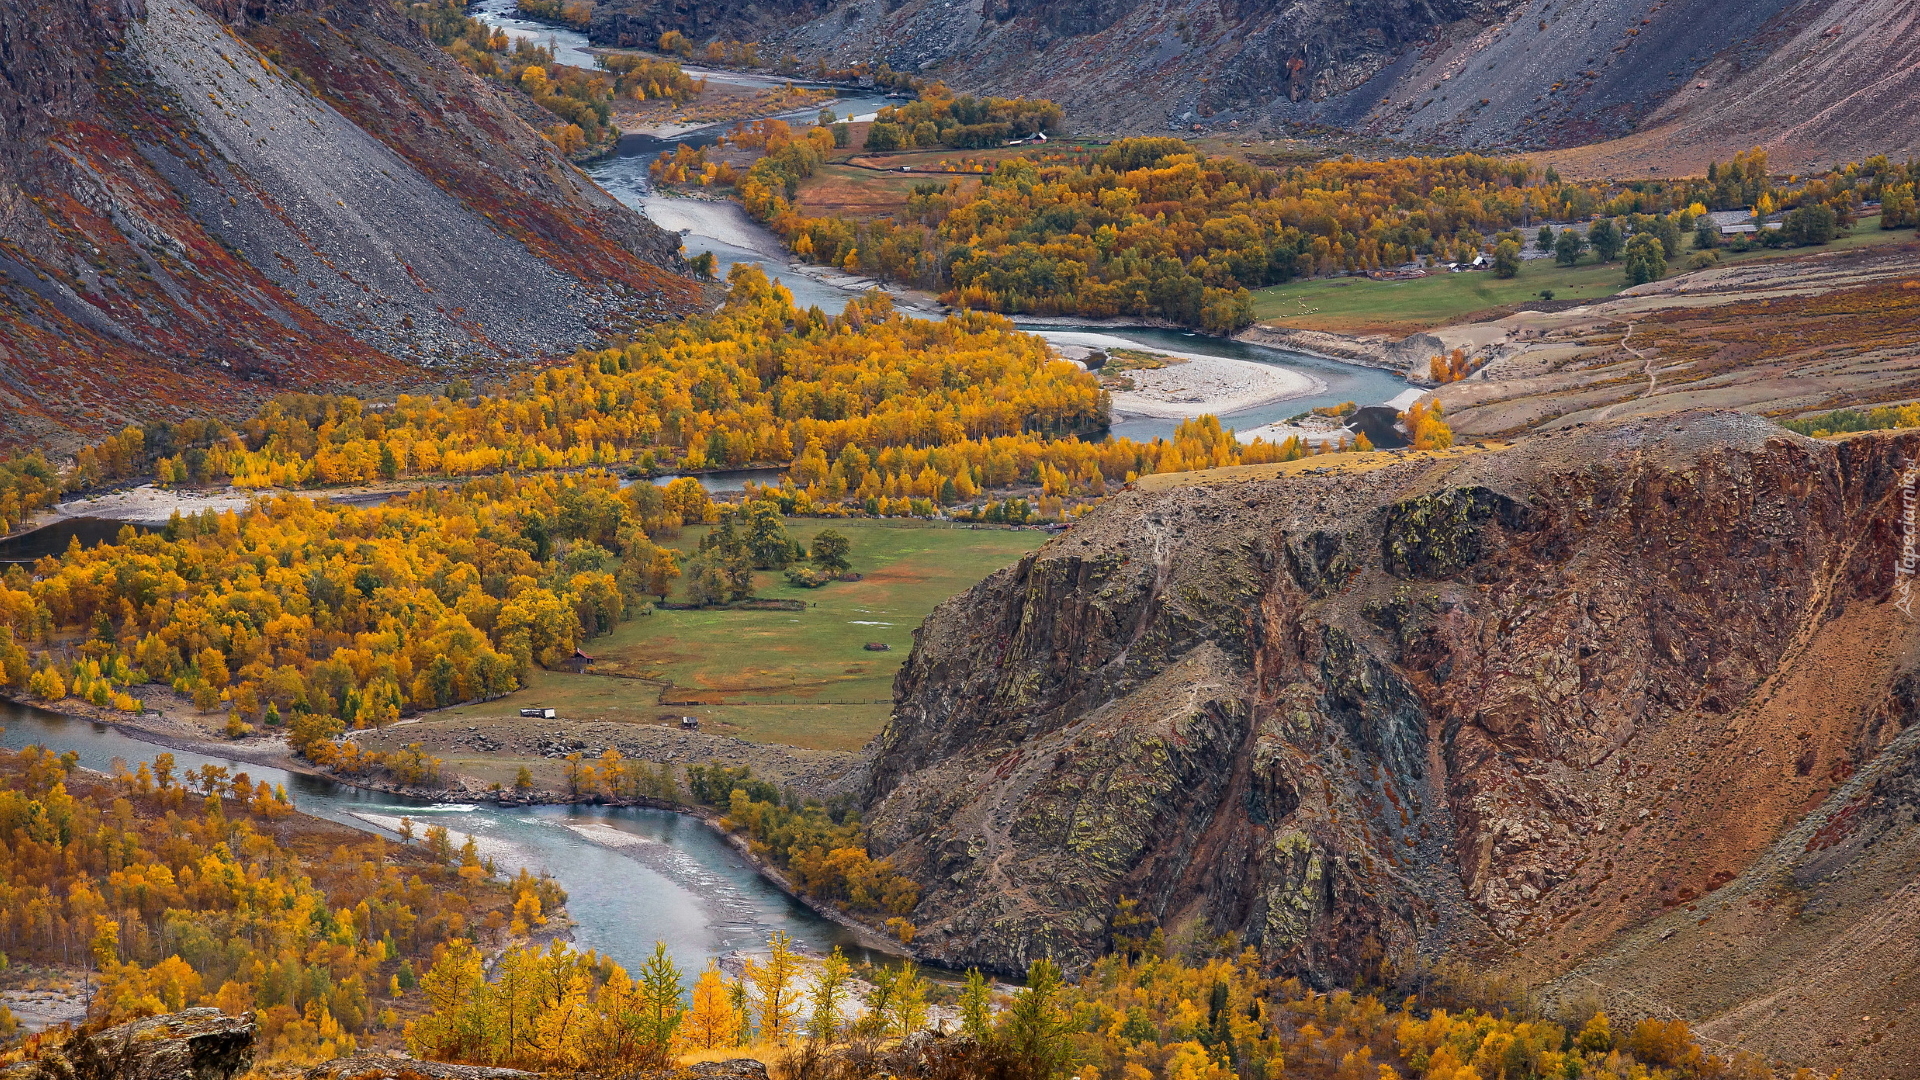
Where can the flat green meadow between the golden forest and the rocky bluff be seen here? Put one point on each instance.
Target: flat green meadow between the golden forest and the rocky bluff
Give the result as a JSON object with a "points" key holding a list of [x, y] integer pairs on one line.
{"points": [[792, 695]]}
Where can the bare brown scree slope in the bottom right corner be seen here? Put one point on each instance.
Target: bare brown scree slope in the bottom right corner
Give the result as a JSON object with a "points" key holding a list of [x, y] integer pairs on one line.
{"points": [[1812, 954]]}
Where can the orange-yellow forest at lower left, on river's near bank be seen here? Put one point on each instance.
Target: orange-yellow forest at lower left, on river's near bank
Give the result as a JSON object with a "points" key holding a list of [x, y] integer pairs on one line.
{"points": [[206, 889]]}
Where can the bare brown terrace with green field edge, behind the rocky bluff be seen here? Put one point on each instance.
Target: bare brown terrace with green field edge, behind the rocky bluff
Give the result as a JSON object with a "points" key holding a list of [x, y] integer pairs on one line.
{"points": [[1788, 335]]}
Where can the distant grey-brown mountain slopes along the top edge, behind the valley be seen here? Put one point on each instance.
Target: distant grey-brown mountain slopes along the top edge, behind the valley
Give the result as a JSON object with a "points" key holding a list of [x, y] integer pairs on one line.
{"points": [[1685, 80]]}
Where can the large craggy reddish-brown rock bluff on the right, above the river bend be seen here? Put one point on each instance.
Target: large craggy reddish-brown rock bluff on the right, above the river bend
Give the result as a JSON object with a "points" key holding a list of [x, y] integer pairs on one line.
{"points": [[1499, 706]]}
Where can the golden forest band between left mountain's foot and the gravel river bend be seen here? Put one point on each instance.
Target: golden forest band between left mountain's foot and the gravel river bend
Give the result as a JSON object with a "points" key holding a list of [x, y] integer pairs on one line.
{"points": [[871, 410]]}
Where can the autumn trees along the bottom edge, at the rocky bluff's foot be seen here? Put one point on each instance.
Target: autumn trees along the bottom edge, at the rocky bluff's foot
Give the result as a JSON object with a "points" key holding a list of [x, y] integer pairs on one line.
{"points": [[1212, 1012]]}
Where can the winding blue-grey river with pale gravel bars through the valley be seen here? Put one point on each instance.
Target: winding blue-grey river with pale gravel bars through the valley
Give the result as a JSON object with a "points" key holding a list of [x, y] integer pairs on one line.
{"points": [[638, 875]]}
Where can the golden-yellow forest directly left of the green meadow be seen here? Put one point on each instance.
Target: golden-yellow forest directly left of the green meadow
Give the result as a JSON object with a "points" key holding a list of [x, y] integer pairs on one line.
{"points": [[325, 618]]}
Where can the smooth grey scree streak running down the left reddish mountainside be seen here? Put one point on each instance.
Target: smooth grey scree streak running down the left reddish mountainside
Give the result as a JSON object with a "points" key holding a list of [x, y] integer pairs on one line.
{"points": [[379, 249]]}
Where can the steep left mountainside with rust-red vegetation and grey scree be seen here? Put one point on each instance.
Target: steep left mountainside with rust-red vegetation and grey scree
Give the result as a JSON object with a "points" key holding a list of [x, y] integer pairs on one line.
{"points": [[218, 203]]}
